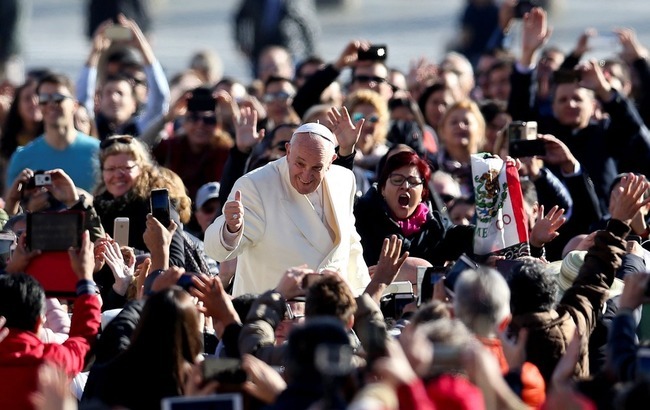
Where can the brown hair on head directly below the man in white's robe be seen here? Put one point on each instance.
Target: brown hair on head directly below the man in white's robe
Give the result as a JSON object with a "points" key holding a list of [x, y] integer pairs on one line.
{"points": [[330, 296]]}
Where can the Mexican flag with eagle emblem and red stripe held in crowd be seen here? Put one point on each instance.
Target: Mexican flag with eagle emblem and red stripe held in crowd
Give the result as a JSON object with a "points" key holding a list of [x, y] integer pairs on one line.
{"points": [[501, 223]]}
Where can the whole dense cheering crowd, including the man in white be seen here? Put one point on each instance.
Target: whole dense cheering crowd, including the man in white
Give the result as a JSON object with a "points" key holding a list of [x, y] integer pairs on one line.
{"points": [[312, 235]]}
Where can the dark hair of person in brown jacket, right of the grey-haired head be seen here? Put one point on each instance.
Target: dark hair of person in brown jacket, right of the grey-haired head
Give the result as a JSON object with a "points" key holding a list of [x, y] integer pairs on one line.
{"points": [[532, 290]]}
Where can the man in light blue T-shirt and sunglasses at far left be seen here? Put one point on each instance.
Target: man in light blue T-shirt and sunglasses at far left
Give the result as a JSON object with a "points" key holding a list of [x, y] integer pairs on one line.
{"points": [[61, 145]]}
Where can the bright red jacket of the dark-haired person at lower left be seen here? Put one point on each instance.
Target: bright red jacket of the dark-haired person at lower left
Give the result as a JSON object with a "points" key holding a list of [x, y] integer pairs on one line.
{"points": [[22, 352]]}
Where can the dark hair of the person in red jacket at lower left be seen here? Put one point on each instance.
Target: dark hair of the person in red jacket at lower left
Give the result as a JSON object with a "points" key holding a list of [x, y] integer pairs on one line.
{"points": [[22, 301]]}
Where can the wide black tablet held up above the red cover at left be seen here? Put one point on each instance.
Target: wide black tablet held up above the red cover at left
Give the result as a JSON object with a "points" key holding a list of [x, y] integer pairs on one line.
{"points": [[54, 231]]}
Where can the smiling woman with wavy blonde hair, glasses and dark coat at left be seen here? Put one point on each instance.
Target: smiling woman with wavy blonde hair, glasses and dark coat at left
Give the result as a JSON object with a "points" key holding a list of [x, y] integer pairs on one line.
{"points": [[128, 176]]}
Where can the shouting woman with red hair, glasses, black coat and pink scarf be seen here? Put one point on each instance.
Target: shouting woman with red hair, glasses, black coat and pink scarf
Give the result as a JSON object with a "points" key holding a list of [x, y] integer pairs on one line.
{"points": [[398, 204]]}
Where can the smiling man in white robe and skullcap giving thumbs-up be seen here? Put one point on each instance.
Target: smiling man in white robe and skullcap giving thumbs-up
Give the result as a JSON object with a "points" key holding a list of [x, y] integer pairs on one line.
{"points": [[293, 211]]}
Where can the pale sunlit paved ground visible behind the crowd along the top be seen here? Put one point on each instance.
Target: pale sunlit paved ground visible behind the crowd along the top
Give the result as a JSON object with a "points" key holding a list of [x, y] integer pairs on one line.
{"points": [[411, 28]]}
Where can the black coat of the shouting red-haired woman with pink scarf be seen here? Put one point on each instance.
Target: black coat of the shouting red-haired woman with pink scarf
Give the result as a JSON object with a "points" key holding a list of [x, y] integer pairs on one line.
{"points": [[437, 241]]}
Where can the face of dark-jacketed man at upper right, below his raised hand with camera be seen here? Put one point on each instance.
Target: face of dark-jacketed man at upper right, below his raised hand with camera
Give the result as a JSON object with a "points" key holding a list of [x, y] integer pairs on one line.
{"points": [[573, 105]]}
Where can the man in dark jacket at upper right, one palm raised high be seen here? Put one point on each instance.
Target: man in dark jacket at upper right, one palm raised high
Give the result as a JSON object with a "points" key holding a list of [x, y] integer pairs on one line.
{"points": [[603, 147]]}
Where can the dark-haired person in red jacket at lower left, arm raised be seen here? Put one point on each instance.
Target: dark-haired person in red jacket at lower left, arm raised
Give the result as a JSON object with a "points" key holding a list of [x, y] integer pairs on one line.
{"points": [[22, 304]]}
